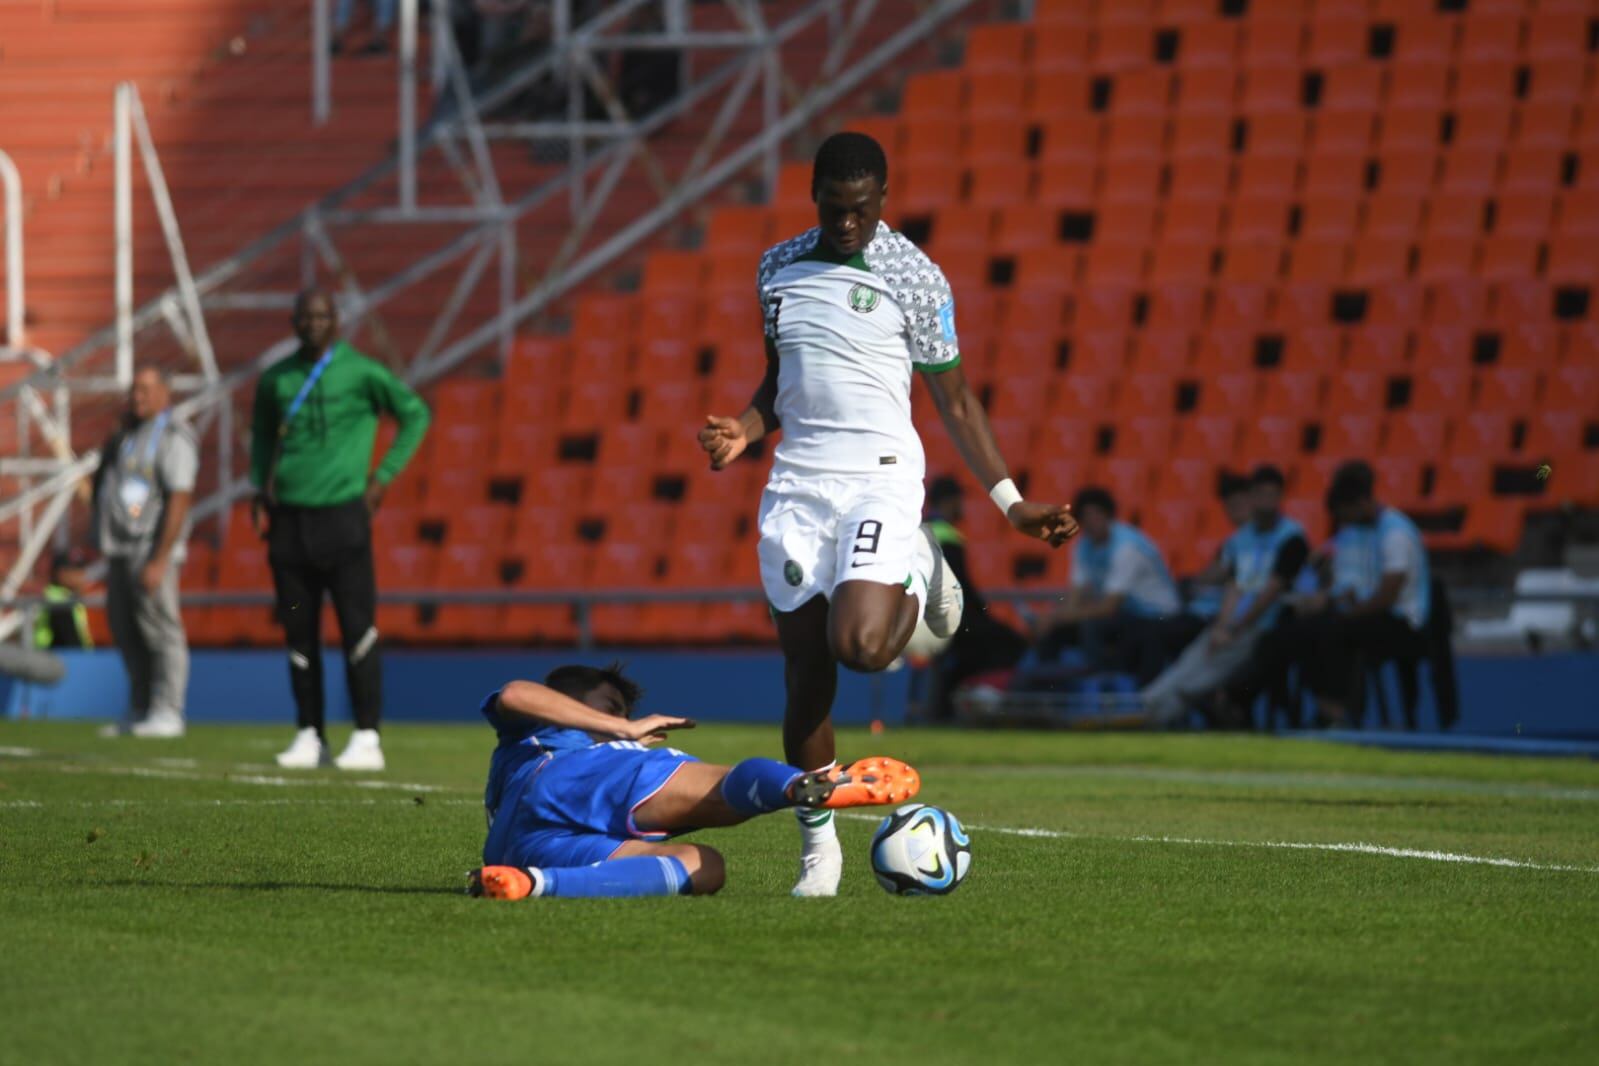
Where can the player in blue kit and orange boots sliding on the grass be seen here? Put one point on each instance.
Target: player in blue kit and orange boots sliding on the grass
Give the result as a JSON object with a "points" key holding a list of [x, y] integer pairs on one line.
{"points": [[581, 806]]}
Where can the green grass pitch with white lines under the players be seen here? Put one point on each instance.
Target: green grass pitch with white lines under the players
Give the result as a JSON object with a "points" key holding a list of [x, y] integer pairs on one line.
{"points": [[172, 902]]}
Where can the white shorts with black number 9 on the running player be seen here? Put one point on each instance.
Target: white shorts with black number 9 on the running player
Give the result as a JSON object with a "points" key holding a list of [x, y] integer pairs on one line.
{"points": [[819, 533]]}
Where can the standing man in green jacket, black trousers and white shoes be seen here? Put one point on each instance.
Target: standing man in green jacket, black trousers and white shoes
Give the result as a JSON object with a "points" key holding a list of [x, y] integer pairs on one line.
{"points": [[313, 434]]}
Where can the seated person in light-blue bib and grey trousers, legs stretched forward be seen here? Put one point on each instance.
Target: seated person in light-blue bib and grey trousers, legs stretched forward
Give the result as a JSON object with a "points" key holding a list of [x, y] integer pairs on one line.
{"points": [[1262, 562]]}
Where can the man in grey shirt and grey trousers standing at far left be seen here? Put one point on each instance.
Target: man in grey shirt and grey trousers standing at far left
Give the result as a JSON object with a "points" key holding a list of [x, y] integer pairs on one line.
{"points": [[143, 491]]}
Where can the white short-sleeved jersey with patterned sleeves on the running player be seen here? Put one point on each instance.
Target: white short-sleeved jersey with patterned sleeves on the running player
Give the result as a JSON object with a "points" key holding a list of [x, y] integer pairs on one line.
{"points": [[848, 336]]}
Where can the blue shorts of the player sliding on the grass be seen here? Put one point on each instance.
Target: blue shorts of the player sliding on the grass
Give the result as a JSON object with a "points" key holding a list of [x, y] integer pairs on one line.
{"points": [[576, 808]]}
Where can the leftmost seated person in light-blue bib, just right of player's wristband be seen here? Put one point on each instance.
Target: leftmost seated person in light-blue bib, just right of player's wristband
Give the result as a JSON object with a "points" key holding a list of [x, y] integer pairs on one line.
{"points": [[1123, 608]]}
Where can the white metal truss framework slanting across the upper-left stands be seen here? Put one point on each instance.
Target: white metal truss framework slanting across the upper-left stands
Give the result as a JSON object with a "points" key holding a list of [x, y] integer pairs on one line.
{"points": [[727, 74]]}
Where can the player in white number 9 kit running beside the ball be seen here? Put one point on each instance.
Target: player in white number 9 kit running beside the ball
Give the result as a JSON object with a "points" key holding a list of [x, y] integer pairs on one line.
{"points": [[851, 309]]}
